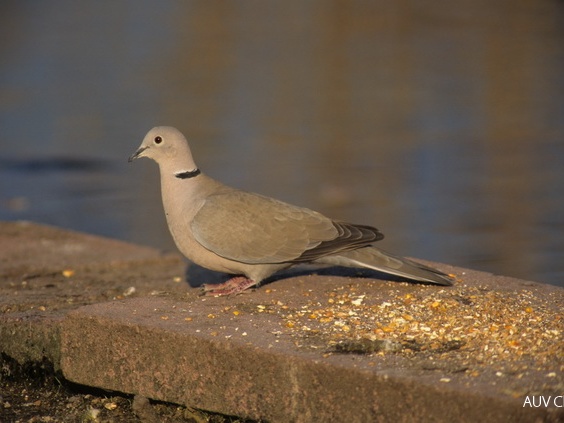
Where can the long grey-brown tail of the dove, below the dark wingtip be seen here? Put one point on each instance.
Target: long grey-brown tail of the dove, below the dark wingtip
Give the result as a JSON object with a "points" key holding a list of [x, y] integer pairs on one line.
{"points": [[376, 259]]}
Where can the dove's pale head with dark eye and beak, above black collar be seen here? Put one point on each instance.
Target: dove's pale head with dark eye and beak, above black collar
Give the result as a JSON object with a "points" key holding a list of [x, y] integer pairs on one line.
{"points": [[168, 147]]}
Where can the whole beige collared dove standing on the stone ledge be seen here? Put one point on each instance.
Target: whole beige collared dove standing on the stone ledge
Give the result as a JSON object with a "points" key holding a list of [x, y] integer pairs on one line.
{"points": [[251, 236]]}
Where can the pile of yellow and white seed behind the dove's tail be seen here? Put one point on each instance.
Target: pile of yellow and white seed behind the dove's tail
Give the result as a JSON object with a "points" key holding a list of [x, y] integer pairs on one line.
{"points": [[489, 325]]}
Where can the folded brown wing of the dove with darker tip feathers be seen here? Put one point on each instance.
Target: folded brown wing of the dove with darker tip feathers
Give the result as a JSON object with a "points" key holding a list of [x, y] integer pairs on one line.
{"points": [[253, 229]]}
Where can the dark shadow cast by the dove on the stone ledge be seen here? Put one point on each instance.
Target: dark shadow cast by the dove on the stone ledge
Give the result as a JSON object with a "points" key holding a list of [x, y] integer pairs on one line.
{"points": [[196, 276]]}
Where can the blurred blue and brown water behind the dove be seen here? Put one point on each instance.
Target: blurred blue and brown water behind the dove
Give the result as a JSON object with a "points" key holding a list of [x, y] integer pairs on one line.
{"points": [[441, 123]]}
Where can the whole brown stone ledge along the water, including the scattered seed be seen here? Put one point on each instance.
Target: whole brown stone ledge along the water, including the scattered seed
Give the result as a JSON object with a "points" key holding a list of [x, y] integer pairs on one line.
{"points": [[315, 347]]}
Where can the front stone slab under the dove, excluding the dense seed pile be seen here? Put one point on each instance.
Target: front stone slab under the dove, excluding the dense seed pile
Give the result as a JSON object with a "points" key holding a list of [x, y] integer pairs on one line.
{"points": [[238, 356]]}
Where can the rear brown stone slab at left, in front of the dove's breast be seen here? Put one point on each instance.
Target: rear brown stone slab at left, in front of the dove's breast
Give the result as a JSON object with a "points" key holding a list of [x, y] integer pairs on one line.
{"points": [[47, 271]]}
